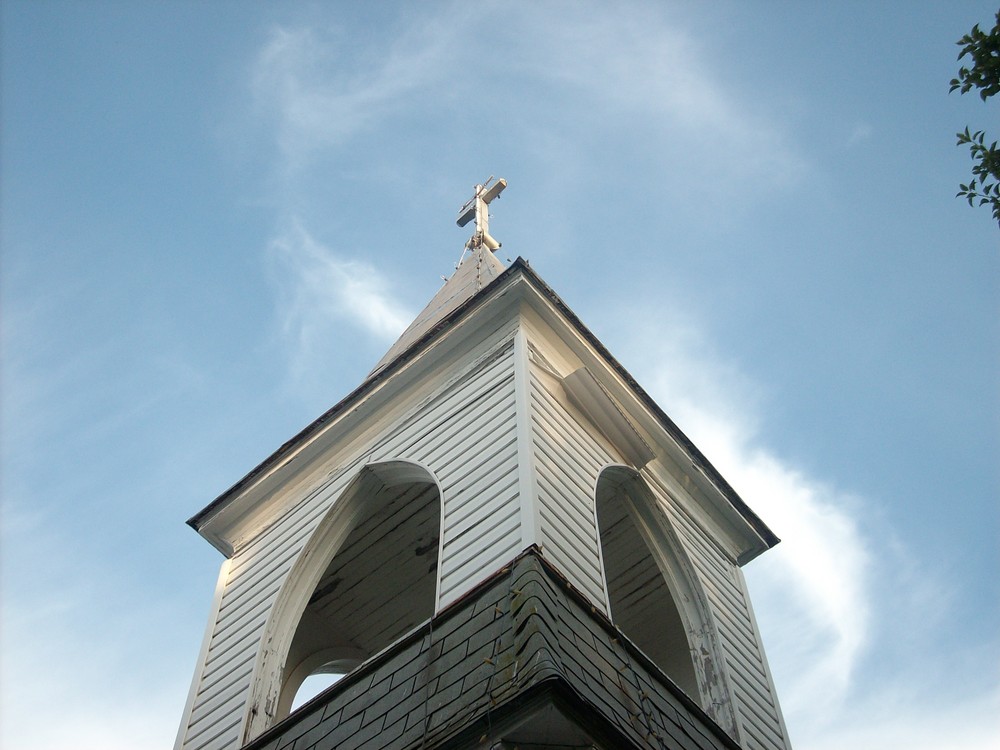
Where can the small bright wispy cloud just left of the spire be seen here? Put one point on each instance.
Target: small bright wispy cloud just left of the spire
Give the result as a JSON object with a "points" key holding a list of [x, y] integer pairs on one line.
{"points": [[321, 292]]}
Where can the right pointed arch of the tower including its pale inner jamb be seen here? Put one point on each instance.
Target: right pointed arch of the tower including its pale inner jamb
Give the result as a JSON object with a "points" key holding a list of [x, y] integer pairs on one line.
{"points": [[654, 595]]}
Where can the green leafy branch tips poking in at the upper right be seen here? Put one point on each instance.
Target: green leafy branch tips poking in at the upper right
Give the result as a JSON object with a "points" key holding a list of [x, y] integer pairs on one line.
{"points": [[983, 74]]}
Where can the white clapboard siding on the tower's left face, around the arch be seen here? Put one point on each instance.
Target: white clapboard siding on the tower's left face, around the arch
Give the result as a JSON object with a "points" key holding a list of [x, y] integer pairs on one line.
{"points": [[465, 434]]}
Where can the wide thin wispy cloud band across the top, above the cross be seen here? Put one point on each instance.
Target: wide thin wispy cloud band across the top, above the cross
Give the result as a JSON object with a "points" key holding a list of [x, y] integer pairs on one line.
{"points": [[592, 65]]}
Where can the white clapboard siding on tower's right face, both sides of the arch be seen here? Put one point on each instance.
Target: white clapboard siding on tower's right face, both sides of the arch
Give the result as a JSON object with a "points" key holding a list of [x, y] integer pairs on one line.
{"points": [[570, 451]]}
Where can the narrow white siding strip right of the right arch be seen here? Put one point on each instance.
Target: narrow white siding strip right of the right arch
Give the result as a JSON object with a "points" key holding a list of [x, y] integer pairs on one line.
{"points": [[753, 695]]}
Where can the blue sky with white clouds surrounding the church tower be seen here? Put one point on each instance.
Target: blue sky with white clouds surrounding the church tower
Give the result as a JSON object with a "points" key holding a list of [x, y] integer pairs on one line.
{"points": [[217, 217]]}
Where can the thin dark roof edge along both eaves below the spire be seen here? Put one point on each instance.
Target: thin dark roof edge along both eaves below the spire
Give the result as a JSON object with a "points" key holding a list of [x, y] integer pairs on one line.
{"points": [[520, 265]]}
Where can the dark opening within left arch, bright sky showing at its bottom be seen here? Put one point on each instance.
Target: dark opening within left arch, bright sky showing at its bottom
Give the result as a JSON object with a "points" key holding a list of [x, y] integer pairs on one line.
{"points": [[379, 584]]}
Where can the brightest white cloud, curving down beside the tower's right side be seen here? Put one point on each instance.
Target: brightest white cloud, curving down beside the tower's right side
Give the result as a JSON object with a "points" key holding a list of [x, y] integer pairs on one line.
{"points": [[821, 566]]}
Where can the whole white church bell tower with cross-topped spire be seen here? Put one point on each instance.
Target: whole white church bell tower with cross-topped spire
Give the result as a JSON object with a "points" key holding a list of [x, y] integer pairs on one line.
{"points": [[498, 540]]}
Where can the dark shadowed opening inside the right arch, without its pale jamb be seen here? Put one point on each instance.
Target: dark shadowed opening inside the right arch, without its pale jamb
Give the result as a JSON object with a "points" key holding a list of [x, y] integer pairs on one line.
{"points": [[641, 602]]}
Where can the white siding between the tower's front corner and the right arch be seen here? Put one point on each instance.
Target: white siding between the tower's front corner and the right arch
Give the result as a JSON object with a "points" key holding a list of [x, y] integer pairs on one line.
{"points": [[568, 459]]}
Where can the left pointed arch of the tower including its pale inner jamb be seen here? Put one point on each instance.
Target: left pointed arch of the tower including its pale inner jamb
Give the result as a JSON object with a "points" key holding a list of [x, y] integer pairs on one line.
{"points": [[367, 575]]}
